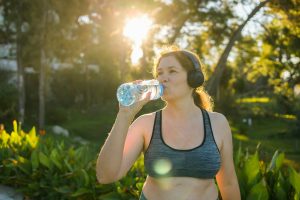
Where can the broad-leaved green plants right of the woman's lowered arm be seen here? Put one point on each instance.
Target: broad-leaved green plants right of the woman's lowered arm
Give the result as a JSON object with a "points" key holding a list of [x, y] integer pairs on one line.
{"points": [[259, 179]]}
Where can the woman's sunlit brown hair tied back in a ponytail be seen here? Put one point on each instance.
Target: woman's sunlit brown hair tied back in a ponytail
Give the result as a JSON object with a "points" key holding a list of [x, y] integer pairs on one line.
{"points": [[201, 98]]}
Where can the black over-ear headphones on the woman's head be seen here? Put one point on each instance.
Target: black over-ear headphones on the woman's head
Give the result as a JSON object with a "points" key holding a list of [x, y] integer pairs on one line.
{"points": [[195, 77]]}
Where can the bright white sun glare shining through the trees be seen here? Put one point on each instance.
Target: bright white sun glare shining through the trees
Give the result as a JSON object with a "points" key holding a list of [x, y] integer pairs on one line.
{"points": [[136, 29]]}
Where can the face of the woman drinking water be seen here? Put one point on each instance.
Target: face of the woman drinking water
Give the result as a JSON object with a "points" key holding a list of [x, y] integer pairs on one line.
{"points": [[173, 77]]}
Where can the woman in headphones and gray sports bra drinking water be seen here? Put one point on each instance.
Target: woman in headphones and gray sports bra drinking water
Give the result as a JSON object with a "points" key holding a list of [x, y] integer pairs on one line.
{"points": [[185, 145]]}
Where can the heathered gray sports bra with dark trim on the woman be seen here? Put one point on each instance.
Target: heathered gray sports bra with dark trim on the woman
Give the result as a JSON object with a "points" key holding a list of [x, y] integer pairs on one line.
{"points": [[161, 160]]}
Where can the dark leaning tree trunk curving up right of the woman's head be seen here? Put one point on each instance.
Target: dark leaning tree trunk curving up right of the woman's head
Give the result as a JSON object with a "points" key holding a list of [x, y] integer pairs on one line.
{"points": [[214, 81]]}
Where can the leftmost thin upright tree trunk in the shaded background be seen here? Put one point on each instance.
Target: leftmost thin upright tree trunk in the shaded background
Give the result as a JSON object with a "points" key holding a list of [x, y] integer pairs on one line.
{"points": [[20, 73]]}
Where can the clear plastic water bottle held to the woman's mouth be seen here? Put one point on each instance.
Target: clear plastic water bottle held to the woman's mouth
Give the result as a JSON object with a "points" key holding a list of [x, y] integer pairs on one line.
{"points": [[129, 93]]}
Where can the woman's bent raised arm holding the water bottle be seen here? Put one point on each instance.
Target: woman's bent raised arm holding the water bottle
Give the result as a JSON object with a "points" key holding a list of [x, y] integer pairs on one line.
{"points": [[122, 146]]}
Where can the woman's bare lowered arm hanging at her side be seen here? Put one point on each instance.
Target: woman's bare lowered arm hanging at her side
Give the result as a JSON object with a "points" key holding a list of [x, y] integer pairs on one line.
{"points": [[226, 177]]}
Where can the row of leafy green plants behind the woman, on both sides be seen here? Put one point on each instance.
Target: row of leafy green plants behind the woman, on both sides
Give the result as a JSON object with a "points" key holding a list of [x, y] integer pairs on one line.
{"points": [[45, 167]]}
